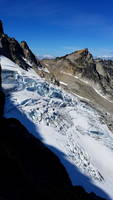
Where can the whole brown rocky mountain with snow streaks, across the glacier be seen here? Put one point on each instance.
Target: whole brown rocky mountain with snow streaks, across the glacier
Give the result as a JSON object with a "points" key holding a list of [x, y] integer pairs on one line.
{"points": [[80, 72]]}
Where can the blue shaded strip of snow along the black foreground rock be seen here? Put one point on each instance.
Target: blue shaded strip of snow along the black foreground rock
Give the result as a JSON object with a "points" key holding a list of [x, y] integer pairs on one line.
{"points": [[78, 178]]}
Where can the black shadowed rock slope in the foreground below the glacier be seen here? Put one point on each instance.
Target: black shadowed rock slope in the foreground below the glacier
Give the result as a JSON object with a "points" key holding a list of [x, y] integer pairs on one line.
{"points": [[29, 170]]}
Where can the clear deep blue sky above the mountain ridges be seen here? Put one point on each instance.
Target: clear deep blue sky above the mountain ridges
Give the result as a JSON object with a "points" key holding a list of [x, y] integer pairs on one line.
{"points": [[57, 27]]}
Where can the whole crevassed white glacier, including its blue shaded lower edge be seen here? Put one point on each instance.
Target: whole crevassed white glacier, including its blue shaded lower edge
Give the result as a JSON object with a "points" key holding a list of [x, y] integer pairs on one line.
{"points": [[70, 128]]}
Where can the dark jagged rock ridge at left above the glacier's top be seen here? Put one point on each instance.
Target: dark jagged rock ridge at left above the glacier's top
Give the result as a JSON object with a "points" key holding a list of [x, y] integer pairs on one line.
{"points": [[19, 53]]}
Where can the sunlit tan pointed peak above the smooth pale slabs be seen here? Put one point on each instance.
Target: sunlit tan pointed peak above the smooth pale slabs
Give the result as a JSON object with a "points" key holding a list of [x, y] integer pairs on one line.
{"points": [[80, 63]]}
